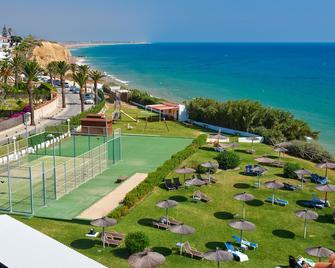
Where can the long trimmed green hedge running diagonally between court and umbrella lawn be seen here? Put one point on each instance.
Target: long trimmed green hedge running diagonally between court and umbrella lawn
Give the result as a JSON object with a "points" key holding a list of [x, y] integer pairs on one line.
{"points": [[156, 177]]}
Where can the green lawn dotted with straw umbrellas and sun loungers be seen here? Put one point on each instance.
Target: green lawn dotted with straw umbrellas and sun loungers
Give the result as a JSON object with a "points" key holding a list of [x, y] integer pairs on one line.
{"points": [[278, 233]]}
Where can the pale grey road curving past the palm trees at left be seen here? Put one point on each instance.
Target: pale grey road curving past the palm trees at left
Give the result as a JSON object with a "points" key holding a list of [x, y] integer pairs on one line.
{"points": [[72, 108]]}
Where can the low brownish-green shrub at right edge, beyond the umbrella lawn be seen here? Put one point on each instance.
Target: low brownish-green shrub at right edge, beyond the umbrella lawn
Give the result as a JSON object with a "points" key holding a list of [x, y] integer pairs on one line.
{"points": [[310, 151]]}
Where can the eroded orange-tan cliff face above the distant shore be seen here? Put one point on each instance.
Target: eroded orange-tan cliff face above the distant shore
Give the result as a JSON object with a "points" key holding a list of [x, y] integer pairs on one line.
{"points": [[48, 52]]}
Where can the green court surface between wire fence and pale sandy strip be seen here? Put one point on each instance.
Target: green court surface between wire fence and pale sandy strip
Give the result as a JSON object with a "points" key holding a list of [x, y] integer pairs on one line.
{"points": [[140, 154]]}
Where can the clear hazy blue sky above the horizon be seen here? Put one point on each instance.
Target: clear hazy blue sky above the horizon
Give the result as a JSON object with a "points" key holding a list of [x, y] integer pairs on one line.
{"points": [[173, 20]]}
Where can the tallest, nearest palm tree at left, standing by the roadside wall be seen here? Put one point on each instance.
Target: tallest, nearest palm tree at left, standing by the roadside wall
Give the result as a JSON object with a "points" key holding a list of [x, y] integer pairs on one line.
{"points": [[31, 69]]}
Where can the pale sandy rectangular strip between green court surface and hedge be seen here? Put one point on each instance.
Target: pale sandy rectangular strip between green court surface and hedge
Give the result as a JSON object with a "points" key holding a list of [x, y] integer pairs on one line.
{"points": [[111, 201]]}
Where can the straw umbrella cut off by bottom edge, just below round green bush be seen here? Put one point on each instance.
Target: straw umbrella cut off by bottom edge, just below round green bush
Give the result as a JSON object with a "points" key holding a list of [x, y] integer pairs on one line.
{"points": [[146, 259]]}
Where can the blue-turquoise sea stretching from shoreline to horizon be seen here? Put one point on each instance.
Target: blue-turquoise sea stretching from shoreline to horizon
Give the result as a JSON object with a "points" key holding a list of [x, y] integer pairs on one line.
{"points": [[299, 77]]}
